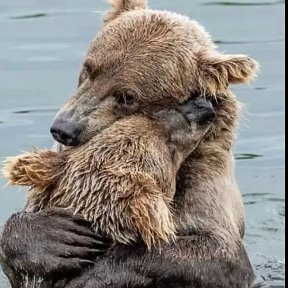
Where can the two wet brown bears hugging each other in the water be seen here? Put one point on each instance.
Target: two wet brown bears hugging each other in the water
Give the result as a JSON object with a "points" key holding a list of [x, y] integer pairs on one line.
{"points": [[135, 167]]}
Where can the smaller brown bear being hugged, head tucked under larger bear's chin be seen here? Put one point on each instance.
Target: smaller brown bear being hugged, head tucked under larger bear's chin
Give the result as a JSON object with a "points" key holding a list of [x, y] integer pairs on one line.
{"points": [[122, 180]]}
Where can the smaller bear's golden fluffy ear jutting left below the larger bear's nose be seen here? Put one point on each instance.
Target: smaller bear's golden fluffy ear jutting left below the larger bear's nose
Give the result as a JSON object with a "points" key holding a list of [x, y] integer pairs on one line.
{"points": [[36, 169]]}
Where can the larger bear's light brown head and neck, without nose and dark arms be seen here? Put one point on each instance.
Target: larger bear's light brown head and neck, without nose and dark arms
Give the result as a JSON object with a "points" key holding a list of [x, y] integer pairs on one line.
{"points": [[170, 57]]}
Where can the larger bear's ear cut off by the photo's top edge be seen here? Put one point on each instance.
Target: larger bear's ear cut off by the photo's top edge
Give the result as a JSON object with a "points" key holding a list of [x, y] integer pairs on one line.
{"points": [[120, 6]]}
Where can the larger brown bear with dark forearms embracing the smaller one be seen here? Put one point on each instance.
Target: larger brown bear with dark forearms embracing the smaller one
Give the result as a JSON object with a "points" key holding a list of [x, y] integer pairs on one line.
{"points": [[139, 53]]}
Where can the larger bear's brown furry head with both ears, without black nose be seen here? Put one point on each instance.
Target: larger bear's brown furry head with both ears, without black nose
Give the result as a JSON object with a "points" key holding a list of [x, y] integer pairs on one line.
{"points": [[155, 58]]}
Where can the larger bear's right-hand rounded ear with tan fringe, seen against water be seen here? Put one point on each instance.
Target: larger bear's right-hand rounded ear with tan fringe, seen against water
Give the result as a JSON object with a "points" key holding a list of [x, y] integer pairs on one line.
{"points": [[218, 71]]}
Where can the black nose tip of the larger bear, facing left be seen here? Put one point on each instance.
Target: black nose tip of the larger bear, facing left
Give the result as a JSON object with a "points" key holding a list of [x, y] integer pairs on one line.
{"points": [[65, 133]]}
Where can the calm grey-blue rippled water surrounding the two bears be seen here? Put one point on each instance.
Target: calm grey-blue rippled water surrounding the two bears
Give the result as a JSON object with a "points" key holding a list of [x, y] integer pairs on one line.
{"points": [[42, 44]]}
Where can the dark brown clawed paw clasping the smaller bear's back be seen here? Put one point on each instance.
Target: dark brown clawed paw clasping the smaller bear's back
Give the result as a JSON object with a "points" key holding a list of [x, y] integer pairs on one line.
{"points": [[53, 243]]}
